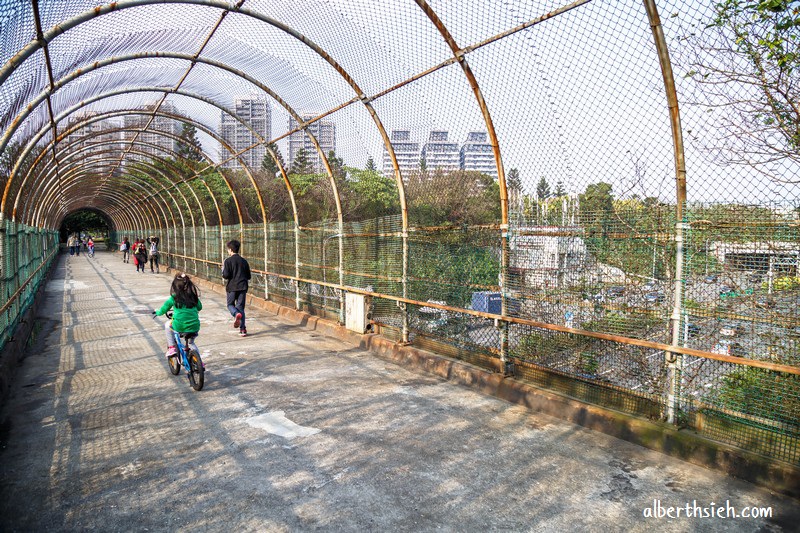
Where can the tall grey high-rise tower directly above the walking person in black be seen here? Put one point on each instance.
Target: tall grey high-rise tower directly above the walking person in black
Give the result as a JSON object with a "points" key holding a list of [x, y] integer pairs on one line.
{"points": [[257, 114]]}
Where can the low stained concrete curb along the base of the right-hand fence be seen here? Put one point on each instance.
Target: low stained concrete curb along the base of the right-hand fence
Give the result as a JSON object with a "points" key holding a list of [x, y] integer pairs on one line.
{"points": [[681, 443]]}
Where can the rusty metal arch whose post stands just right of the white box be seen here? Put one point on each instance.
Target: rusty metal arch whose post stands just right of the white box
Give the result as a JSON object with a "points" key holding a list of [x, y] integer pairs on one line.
{"points": [[28, 50]]}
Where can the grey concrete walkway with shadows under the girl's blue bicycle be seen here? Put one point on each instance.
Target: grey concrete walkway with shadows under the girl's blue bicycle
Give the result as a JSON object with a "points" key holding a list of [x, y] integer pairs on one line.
{"points": [[298, 432]]}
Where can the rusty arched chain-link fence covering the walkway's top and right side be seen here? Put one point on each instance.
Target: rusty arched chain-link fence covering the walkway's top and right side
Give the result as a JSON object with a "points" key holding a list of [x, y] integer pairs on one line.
{"points": [[598, 197]]}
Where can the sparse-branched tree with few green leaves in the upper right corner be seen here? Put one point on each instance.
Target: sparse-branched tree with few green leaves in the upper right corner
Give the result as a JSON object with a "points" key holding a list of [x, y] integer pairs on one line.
{"points": [[745, 63]]}
